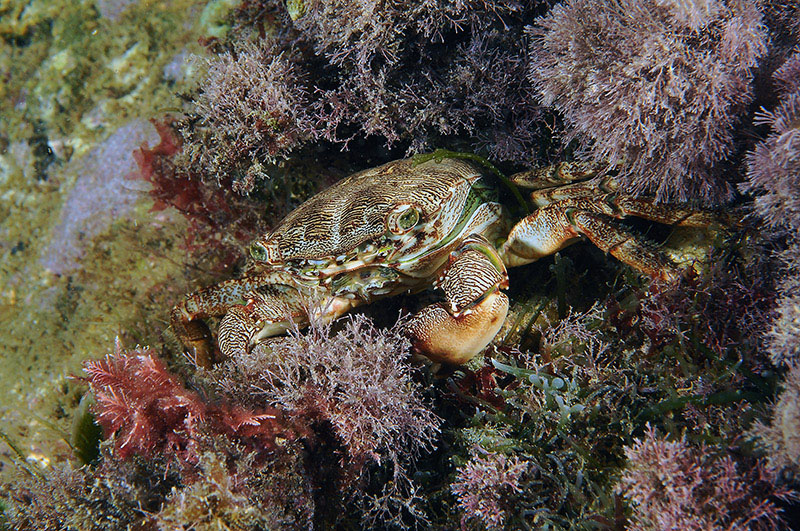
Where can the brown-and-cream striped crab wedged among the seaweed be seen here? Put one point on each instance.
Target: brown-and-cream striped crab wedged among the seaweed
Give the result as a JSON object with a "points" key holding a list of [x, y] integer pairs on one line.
{"points": [[410, 226]]}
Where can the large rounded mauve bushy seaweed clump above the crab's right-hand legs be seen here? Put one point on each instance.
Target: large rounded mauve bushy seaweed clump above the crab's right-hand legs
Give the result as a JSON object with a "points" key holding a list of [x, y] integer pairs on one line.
{"points": [[654, 88]]}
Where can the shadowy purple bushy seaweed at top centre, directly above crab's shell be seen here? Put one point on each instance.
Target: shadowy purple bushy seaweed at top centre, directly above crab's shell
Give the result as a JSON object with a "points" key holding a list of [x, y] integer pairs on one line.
{"points": [[422, 68]]}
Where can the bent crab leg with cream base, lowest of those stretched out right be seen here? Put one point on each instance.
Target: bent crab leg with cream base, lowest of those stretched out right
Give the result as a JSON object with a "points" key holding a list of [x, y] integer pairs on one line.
{"points": [[550, 229]]}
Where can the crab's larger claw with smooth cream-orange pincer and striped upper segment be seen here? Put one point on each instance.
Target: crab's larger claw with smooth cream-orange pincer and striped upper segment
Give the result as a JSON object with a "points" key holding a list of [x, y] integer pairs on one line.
{"points": [[460, 327]]}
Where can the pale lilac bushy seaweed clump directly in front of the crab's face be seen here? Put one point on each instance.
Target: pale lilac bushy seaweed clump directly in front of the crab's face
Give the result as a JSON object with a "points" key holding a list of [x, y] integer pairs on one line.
{"points": [[354, 388]]}
